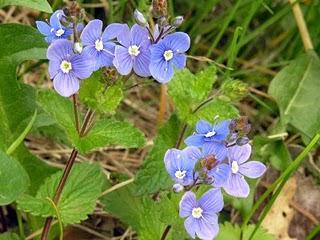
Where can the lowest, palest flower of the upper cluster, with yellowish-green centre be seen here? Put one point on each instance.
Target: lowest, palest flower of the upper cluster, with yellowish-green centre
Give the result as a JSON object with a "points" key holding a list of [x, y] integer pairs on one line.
{"points": [[66, 68]]}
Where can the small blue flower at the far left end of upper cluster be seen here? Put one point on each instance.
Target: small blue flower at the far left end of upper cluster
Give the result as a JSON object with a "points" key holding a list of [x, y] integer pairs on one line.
{"points": [[55, 30]]}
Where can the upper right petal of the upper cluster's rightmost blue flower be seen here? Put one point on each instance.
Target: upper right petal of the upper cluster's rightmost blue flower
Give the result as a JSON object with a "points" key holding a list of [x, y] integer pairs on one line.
{"points": [[177, 42]]}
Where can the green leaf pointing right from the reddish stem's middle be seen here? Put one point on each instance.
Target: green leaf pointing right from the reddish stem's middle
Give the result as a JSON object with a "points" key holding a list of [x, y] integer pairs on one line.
{"points": [[111, 132]]}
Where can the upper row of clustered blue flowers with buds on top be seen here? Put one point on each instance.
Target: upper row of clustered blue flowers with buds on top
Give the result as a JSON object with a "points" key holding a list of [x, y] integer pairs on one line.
{"points": [[139, 49]]}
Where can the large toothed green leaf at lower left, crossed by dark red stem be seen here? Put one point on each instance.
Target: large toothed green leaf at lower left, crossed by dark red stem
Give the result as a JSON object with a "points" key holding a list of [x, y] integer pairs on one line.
{"points": [[78, 198]]}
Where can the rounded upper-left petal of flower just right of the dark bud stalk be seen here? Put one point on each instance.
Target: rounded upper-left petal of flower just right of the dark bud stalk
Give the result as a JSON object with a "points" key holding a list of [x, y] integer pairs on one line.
{"points": [[92, 32]]}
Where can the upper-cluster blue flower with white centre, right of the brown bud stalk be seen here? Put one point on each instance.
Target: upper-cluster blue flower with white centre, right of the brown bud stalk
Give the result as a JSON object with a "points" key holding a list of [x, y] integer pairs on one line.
{"points": [[97, 44]]}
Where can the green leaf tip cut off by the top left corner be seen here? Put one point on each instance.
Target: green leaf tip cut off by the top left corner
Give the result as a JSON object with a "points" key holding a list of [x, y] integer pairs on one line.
{"points": [[41, 5]]}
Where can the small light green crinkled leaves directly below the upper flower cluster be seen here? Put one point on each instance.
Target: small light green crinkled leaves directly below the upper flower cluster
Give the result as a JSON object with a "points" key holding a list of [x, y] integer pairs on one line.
{"points": [[95, 94]]}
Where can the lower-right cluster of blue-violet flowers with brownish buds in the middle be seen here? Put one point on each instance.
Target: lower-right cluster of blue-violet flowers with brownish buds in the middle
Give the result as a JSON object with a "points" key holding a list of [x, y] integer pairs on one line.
{"points": [[216, 155]]}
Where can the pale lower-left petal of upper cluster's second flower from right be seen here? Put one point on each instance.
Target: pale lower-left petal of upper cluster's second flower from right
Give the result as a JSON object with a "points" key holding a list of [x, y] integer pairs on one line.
{"points": [[122, 60]]}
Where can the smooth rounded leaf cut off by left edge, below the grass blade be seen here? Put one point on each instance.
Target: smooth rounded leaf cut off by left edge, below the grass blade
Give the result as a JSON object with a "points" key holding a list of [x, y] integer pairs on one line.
{"points": [[14, 179]]}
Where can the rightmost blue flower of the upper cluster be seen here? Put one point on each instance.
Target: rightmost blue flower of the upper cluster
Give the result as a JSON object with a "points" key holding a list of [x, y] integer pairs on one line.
{"points": [[168, 53]]}
